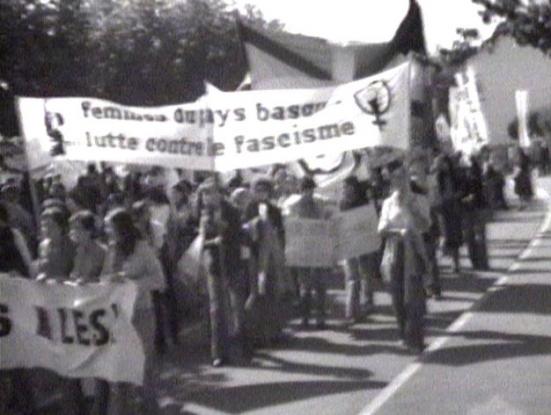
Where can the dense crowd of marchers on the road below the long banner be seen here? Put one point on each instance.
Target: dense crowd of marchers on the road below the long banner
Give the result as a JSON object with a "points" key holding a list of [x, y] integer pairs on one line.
{"points": [[114, 228]]}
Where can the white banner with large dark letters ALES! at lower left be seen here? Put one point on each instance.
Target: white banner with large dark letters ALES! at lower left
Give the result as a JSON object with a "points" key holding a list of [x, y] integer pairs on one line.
{"points": [[76, 331]]}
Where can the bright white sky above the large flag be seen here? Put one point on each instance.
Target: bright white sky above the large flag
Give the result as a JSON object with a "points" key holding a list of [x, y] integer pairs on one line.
{"points": [[345, 21]]}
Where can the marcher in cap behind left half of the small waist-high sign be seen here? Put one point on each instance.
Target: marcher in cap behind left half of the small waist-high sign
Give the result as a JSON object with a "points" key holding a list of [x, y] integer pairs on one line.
{"points": [[310, 279]]}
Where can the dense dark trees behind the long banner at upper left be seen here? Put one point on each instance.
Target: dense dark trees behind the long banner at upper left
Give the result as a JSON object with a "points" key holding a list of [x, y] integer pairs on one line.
{"points": [[141, 52]]}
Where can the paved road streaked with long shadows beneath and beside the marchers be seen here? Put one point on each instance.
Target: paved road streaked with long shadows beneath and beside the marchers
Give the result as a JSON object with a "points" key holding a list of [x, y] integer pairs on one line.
{"points": [[342, 370]]}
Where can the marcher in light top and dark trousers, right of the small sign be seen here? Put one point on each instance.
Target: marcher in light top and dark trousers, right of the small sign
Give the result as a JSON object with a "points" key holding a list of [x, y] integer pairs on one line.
{"points": [[402, 223]]}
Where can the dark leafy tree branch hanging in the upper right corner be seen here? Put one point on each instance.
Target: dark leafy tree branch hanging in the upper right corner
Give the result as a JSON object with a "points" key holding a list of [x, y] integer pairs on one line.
{"points": [[528, 21]]}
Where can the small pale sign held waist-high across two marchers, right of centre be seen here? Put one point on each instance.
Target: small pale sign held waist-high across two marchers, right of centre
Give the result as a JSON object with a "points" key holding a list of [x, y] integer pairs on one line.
{"points": [[322, 243]]}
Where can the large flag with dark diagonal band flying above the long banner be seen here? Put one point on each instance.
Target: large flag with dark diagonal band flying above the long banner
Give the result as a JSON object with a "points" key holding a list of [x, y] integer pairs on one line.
{"points": [[282, 60]]}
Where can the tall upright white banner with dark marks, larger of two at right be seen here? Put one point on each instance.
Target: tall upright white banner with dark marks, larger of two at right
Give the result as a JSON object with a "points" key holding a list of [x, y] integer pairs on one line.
{"points": [[469, 131]]}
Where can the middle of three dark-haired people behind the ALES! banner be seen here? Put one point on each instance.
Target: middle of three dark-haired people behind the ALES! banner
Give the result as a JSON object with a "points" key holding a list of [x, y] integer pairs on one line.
{"points": [[90, 254]]}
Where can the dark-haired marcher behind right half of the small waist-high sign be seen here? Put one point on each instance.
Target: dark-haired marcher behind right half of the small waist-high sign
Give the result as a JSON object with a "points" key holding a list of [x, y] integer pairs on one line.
{"points": [[360, 272]]}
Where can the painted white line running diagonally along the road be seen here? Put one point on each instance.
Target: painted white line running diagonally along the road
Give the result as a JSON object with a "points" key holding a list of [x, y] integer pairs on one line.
{"points": [[412, 368]]}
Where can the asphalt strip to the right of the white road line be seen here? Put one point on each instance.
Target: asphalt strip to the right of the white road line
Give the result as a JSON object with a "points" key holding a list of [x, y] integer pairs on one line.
{"points": [[497, 358]]}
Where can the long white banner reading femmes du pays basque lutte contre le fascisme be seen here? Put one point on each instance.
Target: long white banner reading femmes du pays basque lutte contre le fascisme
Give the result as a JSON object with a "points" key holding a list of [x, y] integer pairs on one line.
{"points": [[225, 131]]}
